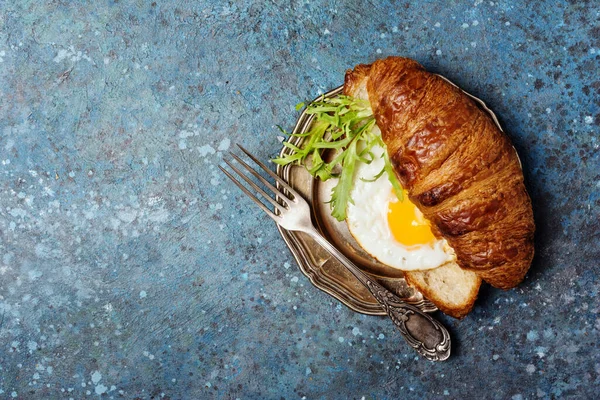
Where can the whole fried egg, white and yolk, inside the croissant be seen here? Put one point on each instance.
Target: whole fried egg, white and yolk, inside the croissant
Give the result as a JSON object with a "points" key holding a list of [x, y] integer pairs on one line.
{"points": [[393, 231]]}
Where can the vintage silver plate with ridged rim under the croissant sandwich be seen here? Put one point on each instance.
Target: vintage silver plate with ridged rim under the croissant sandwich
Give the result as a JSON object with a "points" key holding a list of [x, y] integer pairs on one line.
{"points": [[324, 271]]}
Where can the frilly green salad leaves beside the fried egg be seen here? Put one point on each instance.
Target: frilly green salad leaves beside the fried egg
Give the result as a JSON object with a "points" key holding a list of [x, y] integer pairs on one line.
{"points": [[344, 125]]}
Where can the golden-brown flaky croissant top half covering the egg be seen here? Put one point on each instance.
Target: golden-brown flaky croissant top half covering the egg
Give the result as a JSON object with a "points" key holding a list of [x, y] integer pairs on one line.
{"points": [[459, 169]]}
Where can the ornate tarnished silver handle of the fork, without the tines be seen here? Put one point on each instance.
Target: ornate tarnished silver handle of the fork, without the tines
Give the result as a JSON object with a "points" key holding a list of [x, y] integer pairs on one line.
{"points": [[423, 333]]}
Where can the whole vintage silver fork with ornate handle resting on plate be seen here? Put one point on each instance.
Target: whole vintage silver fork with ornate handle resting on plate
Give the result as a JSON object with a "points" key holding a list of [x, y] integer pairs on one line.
{"points": [[425, 334]]}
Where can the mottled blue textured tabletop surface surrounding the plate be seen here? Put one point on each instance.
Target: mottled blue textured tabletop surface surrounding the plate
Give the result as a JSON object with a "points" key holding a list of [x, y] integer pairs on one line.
{"points": [[131, 268]]}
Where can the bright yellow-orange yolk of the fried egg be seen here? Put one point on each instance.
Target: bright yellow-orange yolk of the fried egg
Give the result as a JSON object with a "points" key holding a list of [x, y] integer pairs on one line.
{"points": [[407, 224]]}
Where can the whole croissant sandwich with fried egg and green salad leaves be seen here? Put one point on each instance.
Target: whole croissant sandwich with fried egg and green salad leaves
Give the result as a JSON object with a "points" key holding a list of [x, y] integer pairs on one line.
{"points": [[453, 210]]}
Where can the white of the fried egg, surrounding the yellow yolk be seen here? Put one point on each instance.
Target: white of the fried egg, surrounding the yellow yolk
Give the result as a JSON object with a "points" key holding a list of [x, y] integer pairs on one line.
{"points": [[368, 223]]}
